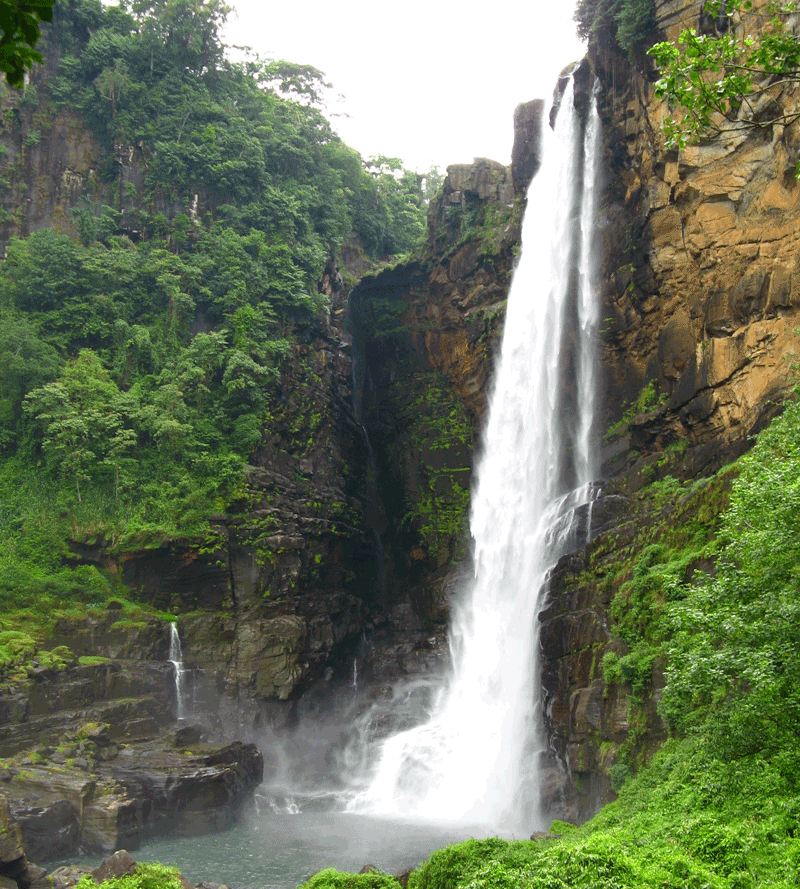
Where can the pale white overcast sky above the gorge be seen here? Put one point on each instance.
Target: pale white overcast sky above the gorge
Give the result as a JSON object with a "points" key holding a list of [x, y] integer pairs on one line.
{"points": [[428, 81]]}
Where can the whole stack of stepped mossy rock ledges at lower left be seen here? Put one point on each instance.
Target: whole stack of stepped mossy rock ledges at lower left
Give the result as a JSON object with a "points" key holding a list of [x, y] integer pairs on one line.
{"points": [[92, 760]]}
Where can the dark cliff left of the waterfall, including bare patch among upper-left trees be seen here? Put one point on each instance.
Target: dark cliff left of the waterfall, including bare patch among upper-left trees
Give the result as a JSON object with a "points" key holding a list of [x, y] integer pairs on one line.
{"points": [[354, 504]]}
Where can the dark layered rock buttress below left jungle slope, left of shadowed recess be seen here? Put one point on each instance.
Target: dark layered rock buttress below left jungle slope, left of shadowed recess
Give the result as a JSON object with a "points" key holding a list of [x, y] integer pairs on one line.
{"points": [[286, 580]]}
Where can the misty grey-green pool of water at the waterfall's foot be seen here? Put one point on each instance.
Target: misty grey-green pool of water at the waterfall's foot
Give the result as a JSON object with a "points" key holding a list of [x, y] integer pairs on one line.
{"points": [[276, 850]]}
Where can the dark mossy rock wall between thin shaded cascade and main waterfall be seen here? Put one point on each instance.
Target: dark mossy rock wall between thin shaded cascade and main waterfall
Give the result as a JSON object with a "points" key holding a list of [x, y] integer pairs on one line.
{"points": [[425, 335]]}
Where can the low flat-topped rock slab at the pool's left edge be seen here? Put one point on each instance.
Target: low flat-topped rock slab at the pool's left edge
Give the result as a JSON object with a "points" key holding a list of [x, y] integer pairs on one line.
{"points": [[101, 796]]}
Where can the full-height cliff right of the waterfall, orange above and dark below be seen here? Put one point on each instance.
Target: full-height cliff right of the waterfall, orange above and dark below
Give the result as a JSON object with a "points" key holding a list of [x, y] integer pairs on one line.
{"points": [[701, 302]]}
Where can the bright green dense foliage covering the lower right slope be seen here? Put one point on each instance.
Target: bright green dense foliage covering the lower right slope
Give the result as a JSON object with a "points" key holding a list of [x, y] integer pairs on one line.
{"points": [[718, 807]]}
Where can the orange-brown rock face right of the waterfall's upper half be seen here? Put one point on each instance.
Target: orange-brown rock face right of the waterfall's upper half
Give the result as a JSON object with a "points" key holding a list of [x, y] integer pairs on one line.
{"points": [[702, 290]]}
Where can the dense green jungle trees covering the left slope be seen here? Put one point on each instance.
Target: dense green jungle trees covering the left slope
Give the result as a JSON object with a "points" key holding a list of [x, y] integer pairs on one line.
{"points": [[141, 343]]}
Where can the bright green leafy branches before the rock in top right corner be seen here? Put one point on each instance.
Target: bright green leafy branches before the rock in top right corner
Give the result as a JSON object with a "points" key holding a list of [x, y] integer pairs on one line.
{"points": [[732, 78]]}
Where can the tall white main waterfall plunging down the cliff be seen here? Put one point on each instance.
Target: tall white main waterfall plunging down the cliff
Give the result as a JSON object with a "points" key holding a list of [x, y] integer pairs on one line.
{"points": [[476, 759]]}
